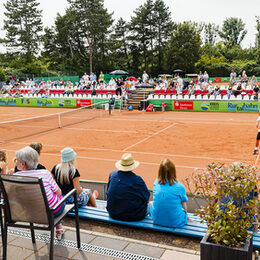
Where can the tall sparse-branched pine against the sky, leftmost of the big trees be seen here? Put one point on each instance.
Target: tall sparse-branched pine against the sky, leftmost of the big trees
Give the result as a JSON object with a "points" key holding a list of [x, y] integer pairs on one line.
{"points": [[23, 26]]}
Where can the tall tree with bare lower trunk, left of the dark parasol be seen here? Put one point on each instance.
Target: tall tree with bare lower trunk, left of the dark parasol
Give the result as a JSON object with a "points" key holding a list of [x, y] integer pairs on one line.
{"points": [[94, 22]]}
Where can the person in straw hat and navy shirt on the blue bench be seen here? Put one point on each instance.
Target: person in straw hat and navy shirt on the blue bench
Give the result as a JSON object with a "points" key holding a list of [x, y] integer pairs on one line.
{"points": [[127, 193]]}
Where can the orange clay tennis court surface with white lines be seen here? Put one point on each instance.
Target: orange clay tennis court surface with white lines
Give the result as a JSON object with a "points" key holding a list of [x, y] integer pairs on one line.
{"points": [[190, 139]]}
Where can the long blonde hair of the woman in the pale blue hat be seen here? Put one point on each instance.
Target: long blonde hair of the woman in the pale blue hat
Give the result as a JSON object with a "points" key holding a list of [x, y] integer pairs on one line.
{"points": [[64, 171]]}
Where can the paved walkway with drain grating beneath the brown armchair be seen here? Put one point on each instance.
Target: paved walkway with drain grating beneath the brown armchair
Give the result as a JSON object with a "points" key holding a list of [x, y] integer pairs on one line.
{"points": [[94, 245]]}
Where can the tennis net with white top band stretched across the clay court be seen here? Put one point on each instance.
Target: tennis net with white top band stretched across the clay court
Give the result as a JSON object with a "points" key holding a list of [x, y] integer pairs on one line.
{"points": [[21, 128]]}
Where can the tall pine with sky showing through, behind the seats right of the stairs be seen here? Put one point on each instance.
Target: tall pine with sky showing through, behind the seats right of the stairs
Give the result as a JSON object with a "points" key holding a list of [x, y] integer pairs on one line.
{"points": [[151, 27]]}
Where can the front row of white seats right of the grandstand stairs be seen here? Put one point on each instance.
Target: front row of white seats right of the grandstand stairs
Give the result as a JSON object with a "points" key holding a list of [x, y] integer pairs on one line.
{"points": [[202, 97]]}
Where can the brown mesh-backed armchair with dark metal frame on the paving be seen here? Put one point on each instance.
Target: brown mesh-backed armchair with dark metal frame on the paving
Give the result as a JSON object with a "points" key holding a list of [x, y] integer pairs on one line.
{"points": [[25, 201]]}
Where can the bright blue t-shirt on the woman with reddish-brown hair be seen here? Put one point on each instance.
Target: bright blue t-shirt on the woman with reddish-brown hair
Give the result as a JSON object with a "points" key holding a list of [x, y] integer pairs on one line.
{"points": [[167, 209]]}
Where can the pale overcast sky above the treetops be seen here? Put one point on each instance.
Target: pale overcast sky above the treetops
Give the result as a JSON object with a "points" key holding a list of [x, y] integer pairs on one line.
{"points": [[209, 11]]}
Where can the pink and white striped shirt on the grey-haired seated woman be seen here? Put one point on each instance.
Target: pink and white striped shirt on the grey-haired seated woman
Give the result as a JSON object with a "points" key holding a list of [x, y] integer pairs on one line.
{"points": [[49, 184]]}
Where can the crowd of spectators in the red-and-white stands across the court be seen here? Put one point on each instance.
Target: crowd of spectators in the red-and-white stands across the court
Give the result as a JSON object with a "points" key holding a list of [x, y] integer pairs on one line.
{"points": [[91, 85]]}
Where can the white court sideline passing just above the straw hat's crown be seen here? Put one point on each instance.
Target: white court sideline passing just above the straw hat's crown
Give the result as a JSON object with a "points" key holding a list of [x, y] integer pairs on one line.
{"points": [[136, 152]]}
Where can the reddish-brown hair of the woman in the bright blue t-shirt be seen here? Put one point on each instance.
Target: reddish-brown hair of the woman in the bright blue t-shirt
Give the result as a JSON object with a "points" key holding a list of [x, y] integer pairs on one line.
{"points": [[167, 172]]}
